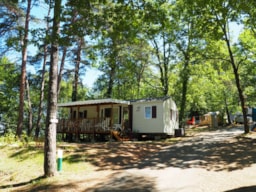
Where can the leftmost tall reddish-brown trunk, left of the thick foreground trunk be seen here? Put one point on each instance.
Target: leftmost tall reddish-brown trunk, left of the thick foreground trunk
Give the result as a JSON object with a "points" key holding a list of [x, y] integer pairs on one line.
{"points": [[23, 71]]}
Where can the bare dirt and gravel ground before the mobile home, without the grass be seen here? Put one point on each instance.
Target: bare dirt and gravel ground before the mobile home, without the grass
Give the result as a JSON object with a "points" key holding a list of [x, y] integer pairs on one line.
{"points": [[215, 161]]}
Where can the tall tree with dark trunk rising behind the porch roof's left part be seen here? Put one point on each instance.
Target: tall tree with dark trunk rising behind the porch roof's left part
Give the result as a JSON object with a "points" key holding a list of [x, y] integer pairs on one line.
{"points": [[80, 22]]}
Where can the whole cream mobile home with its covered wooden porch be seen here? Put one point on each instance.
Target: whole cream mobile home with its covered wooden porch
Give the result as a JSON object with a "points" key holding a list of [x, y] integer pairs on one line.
{"points": [[106, 116]]}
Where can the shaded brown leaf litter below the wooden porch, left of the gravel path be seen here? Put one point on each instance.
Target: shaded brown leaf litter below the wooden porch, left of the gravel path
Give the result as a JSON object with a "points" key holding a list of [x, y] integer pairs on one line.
{"points": [[112, 155]]}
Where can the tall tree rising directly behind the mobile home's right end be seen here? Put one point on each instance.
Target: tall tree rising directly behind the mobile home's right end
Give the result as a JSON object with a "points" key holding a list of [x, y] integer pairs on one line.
{"points": [[187, 45]]}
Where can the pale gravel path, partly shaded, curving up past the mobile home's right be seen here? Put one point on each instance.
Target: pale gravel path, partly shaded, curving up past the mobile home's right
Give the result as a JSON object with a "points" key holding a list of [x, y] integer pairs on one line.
{"points": [[210, 162]]}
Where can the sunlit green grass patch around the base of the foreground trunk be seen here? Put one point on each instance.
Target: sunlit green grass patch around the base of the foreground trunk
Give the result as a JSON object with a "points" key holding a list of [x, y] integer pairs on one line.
{"points": [[23, 165]]}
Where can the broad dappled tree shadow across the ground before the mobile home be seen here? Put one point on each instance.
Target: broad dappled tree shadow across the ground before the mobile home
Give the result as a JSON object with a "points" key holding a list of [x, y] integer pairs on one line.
{"points": [[229, 155]]}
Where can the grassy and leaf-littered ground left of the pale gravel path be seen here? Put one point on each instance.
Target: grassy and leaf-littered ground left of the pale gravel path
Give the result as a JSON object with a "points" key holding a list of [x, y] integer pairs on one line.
{"points": [[21, 166]]}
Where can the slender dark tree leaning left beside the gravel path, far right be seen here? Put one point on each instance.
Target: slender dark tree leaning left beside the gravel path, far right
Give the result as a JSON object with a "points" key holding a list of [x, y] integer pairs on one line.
{"points": [[215, 19]]}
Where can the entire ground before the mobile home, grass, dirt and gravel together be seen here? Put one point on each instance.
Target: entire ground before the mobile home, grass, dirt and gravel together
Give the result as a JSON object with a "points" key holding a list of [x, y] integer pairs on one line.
{"points": [[212, 161]]}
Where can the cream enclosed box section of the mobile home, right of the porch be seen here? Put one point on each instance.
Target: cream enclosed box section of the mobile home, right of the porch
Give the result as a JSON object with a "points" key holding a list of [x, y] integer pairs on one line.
{"points": [[155, 116]]}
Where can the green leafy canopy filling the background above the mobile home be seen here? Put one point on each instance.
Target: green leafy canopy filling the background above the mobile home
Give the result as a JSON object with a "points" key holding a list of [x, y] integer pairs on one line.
{"points": [[142, 48]]}
